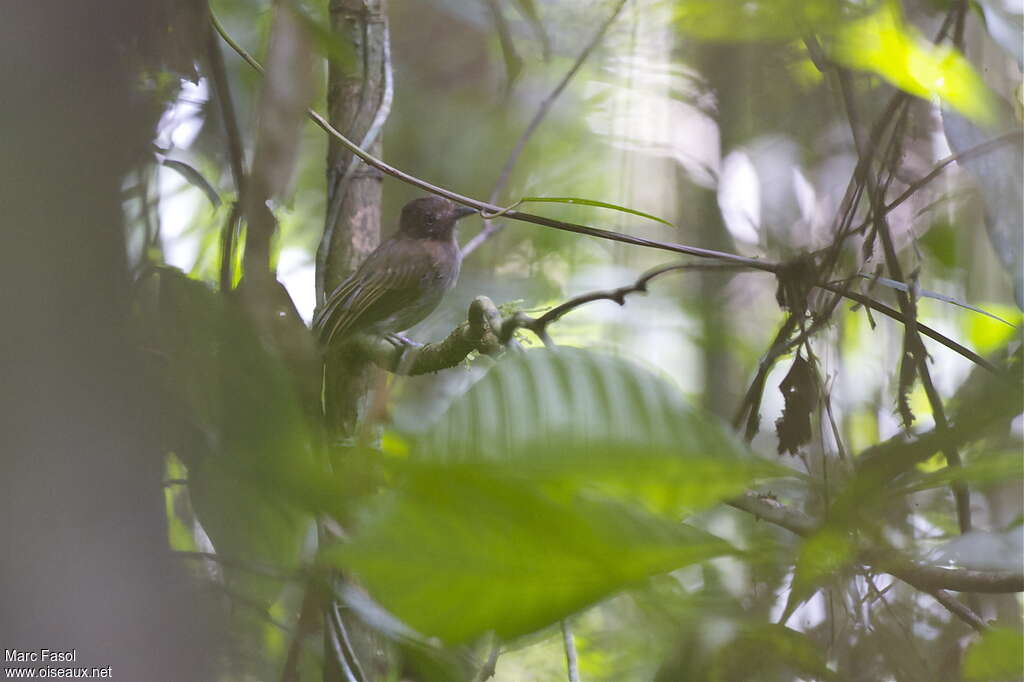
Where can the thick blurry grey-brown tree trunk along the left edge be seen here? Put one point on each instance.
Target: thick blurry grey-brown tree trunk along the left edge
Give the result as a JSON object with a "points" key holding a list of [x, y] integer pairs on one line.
{"points": [[87, 565]]}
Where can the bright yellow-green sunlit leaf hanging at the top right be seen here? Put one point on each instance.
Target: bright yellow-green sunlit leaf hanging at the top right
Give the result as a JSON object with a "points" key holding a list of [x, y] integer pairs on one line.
{"points": [[884, 45]]}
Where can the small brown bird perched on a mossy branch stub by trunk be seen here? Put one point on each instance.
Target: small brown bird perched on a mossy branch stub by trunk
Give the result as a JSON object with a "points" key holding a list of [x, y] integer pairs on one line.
{"points": [[403, 281]]}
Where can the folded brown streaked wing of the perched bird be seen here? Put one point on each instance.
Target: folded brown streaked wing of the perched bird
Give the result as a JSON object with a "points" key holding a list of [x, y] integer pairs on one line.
{"points": [[388, 282]]}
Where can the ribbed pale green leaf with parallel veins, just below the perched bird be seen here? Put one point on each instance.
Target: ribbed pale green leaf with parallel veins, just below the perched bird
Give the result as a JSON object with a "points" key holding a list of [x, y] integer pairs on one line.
{"points": [[578, 421]]}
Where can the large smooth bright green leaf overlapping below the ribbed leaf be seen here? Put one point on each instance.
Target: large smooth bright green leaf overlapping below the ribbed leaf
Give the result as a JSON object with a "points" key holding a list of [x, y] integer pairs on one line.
{"points": [[460, 550]]}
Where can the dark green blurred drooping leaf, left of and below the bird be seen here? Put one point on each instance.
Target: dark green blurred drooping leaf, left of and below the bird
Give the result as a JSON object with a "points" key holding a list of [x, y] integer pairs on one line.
{"points": [[254, 478]]}
